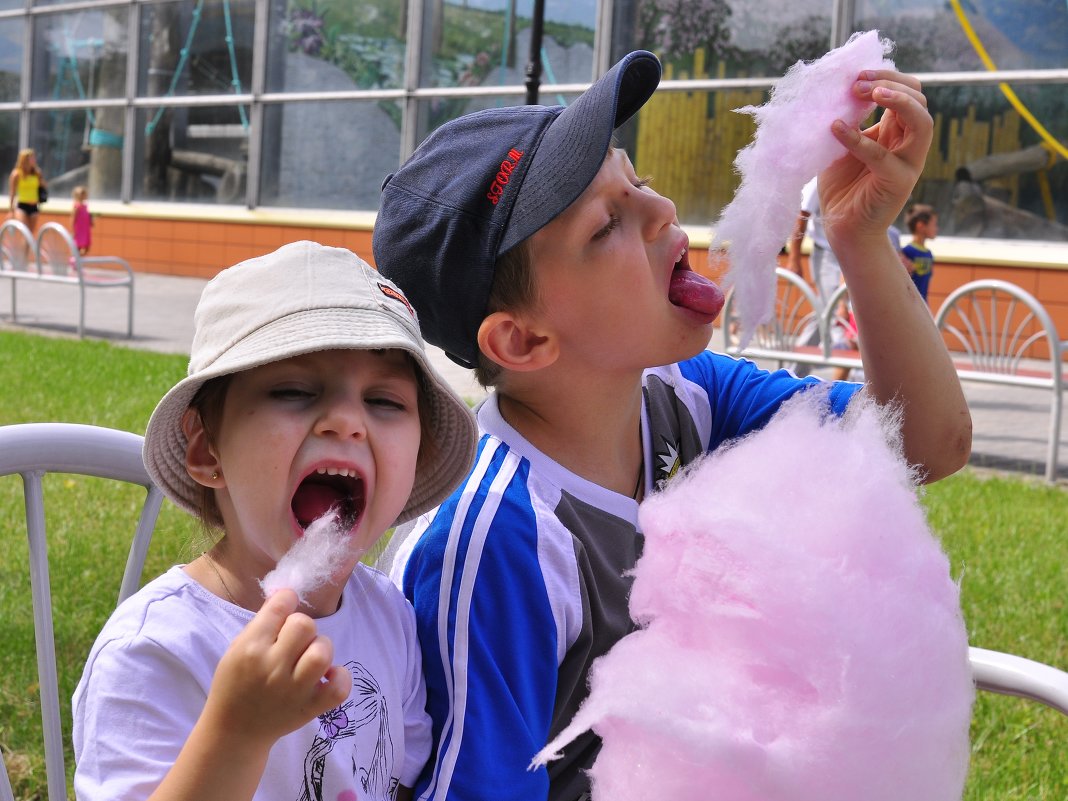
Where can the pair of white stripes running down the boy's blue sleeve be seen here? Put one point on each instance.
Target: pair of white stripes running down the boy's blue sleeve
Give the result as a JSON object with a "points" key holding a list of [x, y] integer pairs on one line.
{"points": [[457, 672]]}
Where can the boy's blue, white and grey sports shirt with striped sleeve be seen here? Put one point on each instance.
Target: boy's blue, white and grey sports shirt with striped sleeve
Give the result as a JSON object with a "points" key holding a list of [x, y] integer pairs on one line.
{"points": [[520, 580]]}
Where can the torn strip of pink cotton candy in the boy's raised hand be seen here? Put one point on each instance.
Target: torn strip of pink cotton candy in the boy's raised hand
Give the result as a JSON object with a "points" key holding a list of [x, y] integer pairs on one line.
{"points": [[793, 144]]}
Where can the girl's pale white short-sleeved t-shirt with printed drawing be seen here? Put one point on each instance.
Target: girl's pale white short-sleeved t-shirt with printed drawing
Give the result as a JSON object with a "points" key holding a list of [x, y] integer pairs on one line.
{"points": [[149, 673]]}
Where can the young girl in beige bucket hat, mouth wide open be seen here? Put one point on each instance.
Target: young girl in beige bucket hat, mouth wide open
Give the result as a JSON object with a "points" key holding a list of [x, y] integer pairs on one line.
{"points": [[309, 397]]}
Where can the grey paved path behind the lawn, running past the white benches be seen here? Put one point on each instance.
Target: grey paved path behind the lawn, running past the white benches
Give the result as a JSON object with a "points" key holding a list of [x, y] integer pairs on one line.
{"points": [[1011, 425]]}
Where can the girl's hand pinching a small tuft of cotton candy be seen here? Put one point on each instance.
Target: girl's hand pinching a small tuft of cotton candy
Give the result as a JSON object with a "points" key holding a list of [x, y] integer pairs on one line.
{"points": [[276, 677]]}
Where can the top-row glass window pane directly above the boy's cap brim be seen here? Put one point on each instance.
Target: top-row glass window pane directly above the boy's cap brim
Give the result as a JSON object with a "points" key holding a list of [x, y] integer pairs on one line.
{"points": [[724, 39]]}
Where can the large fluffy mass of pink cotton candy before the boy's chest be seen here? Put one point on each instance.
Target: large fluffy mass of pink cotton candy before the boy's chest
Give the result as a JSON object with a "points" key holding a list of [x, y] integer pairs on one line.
{"points": [[803, 635]]}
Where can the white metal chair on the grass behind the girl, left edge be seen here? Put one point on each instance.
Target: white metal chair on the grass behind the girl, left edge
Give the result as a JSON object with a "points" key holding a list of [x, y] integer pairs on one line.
{"points": [[33, 450]]}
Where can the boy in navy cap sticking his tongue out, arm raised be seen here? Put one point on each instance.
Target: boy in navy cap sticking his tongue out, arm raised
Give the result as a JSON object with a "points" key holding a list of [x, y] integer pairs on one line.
{"points": [[535, 254]]}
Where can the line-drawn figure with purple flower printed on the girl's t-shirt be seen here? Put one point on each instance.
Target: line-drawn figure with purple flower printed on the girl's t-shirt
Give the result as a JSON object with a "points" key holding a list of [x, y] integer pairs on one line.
{"points": [[362, 726]]}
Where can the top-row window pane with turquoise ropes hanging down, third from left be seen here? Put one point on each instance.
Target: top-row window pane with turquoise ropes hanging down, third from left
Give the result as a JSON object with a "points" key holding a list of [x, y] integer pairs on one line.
{"points": [[202, 49]]}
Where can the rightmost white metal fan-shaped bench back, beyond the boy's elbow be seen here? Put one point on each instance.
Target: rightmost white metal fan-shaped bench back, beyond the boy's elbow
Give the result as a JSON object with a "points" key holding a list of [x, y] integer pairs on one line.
{"points": [[1007, 337]]}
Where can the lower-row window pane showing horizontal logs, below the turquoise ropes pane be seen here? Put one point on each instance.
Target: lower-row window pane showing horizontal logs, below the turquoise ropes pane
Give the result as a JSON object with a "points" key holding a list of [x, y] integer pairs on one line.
{"points": [[195, 155]]}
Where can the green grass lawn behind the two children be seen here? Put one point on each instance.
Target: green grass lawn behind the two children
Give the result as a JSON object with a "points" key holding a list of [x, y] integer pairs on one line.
{"points": [[1008, 540]]}
